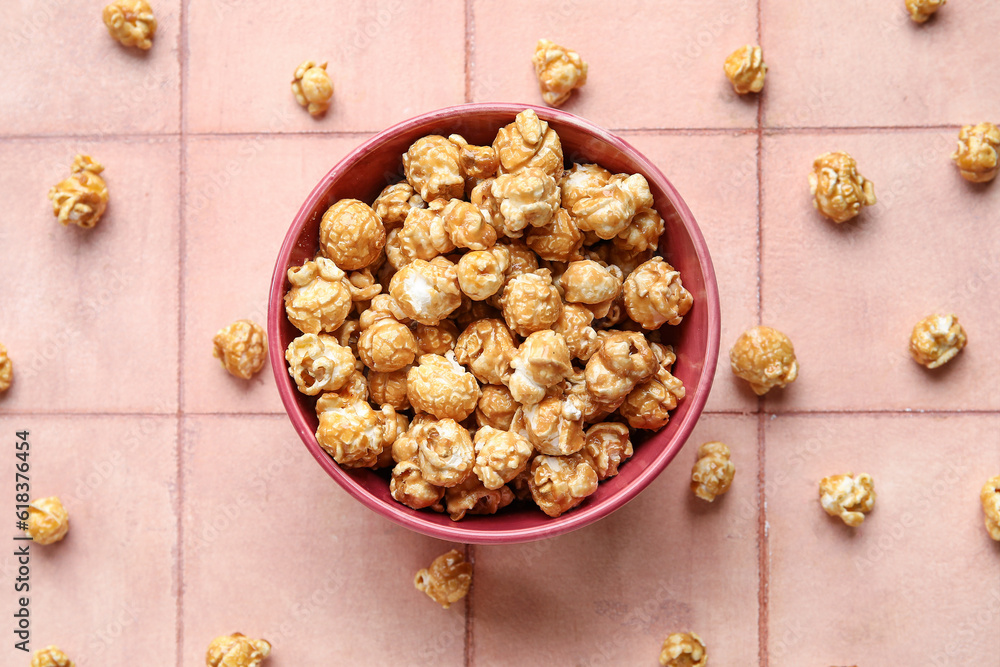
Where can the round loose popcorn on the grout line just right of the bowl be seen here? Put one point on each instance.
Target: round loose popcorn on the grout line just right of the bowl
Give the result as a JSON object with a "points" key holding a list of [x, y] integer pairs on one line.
{"points": [[765, 358]]}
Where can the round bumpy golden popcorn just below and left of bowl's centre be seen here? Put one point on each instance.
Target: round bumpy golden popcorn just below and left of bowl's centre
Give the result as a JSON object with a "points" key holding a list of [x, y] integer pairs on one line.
{"points": [[441, 386]]}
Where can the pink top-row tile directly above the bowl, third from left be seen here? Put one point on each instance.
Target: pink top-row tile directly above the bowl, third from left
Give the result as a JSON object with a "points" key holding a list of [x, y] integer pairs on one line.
{"points": [[672, 77]]}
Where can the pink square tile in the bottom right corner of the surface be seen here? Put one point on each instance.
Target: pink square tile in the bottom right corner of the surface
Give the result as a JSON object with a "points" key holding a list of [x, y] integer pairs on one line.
{"points": [[836, 593]]}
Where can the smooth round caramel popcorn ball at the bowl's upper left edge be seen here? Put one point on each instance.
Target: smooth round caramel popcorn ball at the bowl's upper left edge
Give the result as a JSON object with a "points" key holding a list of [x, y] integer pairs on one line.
{"points": [[351, 234]]}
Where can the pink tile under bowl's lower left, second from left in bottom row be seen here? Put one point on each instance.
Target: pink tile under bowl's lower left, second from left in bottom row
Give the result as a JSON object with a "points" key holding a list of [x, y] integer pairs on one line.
{"points": [[274, 548]]}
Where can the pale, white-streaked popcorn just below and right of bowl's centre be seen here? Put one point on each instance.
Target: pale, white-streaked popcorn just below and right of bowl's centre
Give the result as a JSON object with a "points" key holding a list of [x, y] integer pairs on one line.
{"points": [[540, 362]]}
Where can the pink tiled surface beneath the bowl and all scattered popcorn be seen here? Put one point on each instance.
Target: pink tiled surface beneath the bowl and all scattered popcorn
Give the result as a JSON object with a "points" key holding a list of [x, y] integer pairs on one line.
{"points": [[195, 509]]}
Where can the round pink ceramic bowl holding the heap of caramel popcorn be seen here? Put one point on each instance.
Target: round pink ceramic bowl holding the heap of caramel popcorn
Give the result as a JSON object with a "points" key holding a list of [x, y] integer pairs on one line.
{"points": [[375, 164]]}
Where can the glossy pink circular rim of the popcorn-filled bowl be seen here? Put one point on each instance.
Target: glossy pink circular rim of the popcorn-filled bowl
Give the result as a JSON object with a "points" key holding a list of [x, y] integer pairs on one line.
{"points": [[570, 521]]}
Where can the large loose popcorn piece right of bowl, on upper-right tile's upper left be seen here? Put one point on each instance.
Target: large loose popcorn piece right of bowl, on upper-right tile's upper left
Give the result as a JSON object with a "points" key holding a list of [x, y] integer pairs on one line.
{"points": [[838, 190]]}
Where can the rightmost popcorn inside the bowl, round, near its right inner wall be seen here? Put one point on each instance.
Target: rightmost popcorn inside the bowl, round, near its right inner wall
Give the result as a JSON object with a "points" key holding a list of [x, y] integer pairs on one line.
{"points": [[655, 295]]}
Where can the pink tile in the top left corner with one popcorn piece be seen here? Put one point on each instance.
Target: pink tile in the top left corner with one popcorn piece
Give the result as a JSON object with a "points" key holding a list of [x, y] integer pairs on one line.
{"points": [[66, 75]]}
